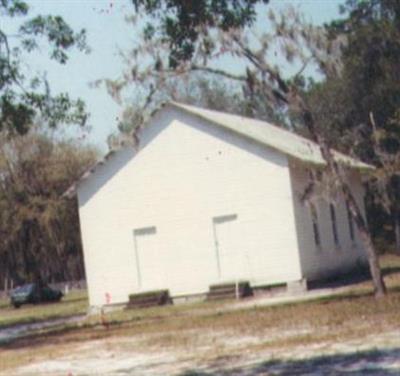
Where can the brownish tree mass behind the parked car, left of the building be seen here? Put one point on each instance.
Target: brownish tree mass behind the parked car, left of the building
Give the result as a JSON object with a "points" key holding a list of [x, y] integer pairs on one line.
{"points": [[39, 230]]}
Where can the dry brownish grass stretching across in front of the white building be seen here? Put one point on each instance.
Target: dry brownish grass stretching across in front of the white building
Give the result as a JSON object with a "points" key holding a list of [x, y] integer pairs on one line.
{"points": [[354, 315]]}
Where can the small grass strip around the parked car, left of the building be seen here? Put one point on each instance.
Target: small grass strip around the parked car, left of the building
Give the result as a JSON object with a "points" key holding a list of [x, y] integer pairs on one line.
{"points": [[74, 303]]}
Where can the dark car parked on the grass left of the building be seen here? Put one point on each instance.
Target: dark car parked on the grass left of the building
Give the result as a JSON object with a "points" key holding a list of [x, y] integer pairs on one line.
{"points": [[34, 293]]}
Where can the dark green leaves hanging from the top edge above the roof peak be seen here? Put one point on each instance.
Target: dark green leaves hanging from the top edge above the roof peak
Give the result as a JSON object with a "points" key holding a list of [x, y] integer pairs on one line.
{"points": [[180, 22]]}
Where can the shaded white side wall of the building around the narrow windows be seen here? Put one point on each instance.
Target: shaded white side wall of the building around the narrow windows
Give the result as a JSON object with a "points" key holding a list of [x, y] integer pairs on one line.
{"points": [[328, 258]]}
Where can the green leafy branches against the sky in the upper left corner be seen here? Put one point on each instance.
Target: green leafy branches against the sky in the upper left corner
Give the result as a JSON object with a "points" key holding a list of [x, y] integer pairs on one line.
{"points": [[22, 97]]}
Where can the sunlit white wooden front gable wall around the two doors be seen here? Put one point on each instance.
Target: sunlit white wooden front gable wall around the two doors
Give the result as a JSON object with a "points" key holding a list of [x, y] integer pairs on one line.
{"points": [[186, 174]]}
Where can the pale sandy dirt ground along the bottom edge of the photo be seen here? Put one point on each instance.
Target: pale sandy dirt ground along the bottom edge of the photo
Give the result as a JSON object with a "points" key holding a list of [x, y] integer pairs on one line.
{"points": [[220, 353]]}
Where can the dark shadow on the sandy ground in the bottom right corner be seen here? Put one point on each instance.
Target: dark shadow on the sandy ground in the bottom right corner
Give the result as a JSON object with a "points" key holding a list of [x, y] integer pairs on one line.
{"points": [[382, 363]]}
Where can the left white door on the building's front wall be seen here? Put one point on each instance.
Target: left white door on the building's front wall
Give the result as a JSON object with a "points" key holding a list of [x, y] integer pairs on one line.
{"points": [[149, 266]]}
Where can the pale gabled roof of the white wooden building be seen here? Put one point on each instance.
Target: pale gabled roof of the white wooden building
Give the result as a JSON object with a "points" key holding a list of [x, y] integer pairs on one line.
{"points": [[262, 132]]}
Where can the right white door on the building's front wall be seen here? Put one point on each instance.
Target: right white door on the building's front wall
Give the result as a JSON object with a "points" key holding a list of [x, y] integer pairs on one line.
{"points": [[229, 255]]}
